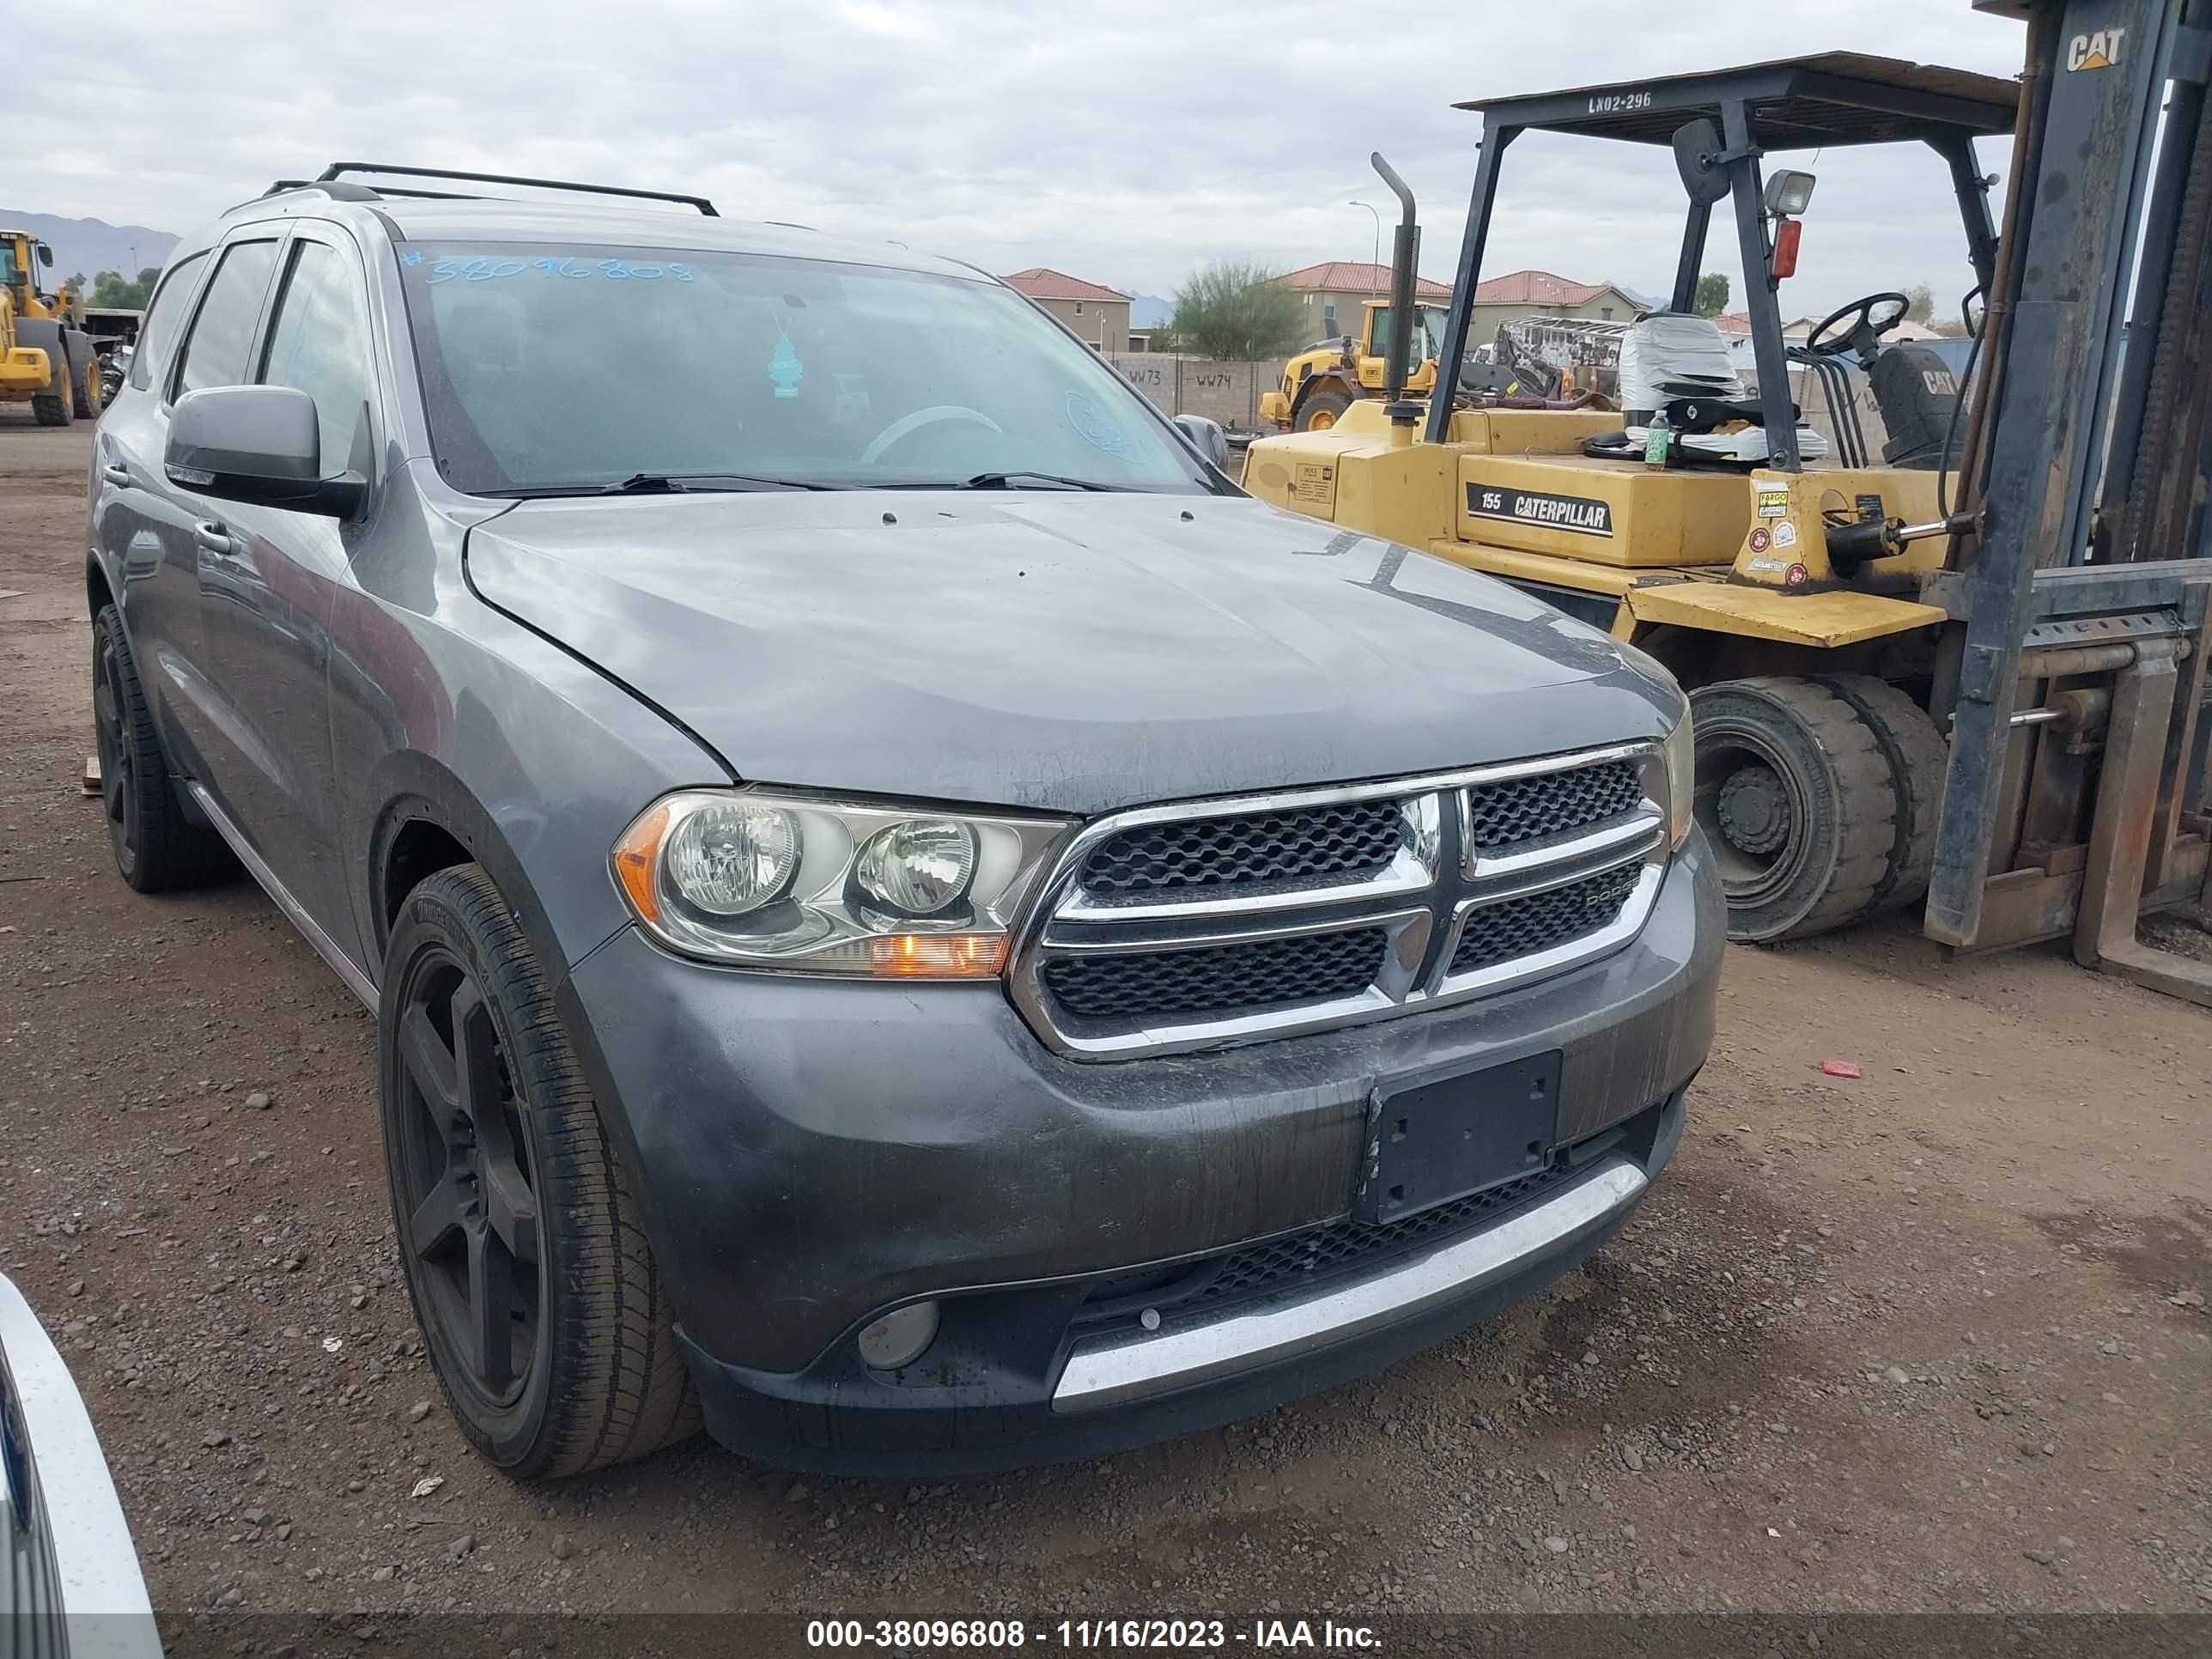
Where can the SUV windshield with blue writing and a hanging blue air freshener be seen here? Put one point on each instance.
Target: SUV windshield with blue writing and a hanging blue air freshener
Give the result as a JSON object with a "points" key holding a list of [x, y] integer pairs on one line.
{"points": [[561, 368]]}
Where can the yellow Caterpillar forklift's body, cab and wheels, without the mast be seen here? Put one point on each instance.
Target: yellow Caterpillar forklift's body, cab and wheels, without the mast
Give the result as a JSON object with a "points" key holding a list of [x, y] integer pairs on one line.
{"points": [[1775, 570]]}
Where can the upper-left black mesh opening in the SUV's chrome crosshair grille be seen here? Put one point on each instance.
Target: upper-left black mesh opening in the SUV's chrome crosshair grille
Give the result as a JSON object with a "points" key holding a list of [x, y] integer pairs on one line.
{"points": [[1348, 842]]}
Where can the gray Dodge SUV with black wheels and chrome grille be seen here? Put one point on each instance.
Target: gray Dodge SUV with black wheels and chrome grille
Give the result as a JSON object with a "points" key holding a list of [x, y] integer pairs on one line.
{"points": [[908, 917]]}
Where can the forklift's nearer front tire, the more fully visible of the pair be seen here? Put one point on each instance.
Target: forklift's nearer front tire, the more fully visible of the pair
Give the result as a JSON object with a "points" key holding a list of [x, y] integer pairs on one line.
{"points": [[1797, 800]]}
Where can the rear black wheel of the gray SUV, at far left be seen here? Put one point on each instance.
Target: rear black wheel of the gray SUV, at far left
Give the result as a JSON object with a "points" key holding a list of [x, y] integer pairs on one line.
{"points": [[156, 846]]}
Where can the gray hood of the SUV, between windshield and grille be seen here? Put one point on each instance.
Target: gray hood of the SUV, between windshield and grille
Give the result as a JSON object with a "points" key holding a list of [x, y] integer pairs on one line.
{"points": [[1056, 651]]}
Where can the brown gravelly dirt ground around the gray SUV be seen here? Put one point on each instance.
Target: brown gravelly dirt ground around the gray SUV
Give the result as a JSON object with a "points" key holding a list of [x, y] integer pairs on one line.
{"points": [[1928, 1339]]}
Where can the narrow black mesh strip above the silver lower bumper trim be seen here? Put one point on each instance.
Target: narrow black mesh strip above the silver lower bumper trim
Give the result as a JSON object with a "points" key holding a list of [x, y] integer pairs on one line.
{"points": [[1315, 1258]]}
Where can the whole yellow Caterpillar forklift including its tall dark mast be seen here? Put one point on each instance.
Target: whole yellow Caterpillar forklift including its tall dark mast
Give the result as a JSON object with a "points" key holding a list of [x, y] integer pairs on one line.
{"points": [[1901, 649]]}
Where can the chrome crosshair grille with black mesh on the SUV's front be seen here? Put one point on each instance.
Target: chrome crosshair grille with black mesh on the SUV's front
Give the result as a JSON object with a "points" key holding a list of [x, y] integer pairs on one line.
{"points": [[1213, 924]]}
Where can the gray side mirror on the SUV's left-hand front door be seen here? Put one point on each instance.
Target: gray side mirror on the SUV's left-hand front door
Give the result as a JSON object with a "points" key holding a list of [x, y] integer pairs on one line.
{"points": [[262, 446]]}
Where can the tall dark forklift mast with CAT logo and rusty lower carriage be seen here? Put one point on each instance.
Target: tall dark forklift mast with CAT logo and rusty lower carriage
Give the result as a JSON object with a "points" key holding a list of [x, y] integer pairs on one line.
{"points": [[2080, 594]]}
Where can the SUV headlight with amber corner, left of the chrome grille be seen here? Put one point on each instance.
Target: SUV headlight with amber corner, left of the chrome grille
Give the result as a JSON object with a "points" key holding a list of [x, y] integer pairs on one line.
{"points": [[828, 886]]}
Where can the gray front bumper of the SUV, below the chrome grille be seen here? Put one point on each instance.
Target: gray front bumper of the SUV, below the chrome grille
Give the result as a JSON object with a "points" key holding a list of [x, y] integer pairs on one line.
{"points": [[813, 1154]]}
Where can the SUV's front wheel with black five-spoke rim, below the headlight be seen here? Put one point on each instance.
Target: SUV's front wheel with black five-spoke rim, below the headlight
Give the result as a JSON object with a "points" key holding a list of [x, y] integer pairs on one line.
{"points": [[525, 1258]]}
